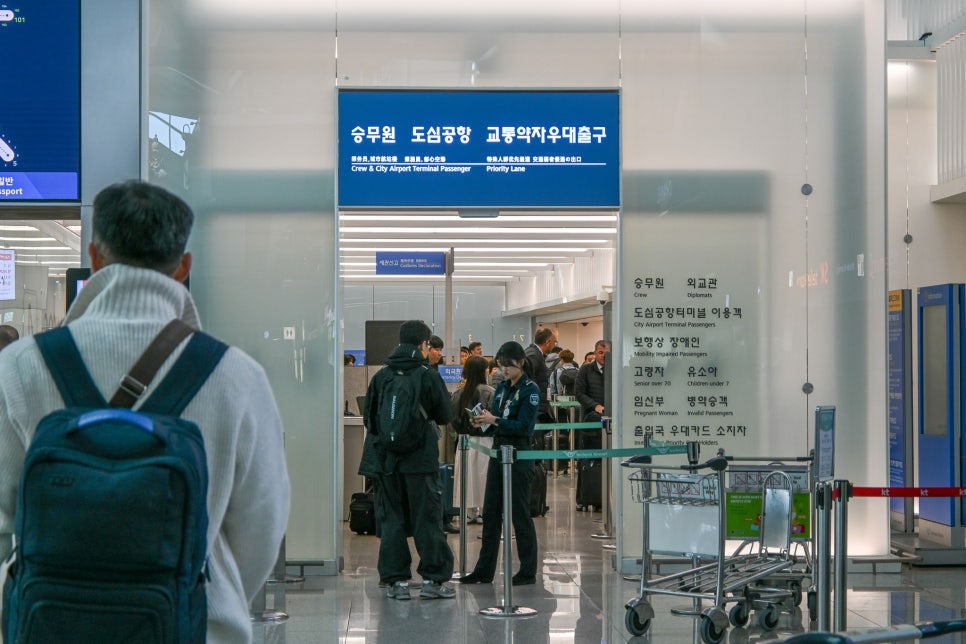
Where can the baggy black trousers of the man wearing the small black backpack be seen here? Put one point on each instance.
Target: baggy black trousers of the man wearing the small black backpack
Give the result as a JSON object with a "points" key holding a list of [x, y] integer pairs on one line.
{"points": [[410, 504]]}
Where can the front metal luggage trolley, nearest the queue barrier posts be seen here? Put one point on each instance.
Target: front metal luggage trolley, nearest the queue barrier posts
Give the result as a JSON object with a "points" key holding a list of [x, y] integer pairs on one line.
{"points": [[685, 515]]}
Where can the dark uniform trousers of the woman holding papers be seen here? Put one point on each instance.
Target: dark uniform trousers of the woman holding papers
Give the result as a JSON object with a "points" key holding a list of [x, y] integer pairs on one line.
{"points": [[521, 477]]}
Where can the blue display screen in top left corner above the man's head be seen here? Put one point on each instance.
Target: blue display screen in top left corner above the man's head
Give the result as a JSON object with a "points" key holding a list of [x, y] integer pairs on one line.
{"points": [[40, 100]]}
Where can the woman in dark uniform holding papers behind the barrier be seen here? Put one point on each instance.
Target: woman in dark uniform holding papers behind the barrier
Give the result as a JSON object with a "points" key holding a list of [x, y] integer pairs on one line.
{"points": [[511, 421]]}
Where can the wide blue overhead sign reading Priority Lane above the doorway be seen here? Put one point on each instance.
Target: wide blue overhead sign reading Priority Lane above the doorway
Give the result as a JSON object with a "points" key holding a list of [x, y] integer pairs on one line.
{"points": [[479, 148]]}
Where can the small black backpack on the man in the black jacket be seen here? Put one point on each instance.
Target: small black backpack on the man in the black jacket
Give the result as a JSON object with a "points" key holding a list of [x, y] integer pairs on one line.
{"points": [[400, 417]]}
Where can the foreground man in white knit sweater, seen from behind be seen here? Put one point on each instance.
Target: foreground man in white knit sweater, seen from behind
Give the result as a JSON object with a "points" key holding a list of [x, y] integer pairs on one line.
{"points": [[139, 262]]}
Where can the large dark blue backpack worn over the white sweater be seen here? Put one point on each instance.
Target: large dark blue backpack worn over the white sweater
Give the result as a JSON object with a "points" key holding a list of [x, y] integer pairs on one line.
{"points": [[111, 524]]}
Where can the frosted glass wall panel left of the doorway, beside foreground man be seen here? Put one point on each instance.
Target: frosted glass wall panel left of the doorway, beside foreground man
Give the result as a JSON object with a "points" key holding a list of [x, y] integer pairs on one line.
{"points": [[251, 92]]}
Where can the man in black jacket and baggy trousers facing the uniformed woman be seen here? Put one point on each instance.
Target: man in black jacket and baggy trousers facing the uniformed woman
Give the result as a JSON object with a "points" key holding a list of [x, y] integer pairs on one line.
{"points": [[403, 506]]}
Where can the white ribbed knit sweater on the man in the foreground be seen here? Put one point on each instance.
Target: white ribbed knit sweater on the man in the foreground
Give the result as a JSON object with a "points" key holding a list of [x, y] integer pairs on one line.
{"points": [[114, 318]]}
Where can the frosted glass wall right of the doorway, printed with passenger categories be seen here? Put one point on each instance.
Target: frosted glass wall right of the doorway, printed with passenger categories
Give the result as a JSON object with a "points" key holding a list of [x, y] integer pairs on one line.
{"points": [[751, 285]]}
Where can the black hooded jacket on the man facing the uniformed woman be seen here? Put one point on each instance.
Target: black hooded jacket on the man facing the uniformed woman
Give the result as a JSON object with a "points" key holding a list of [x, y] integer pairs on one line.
{"points": [[435, 400]]}
